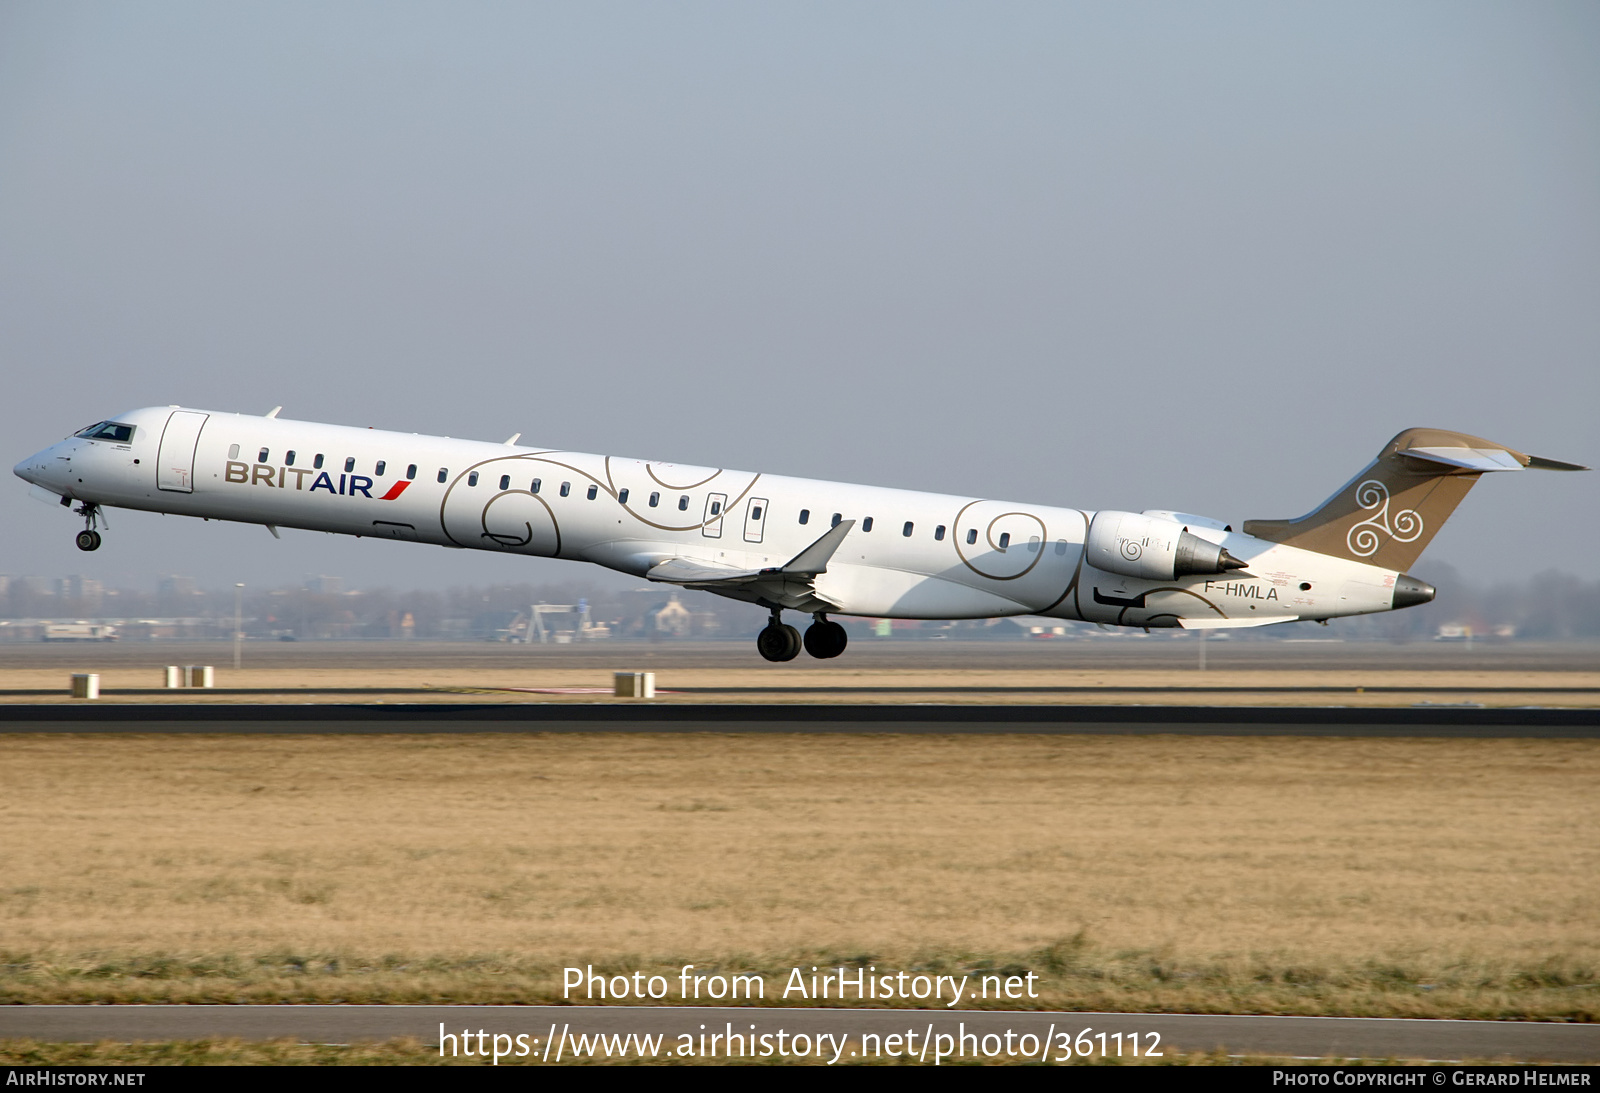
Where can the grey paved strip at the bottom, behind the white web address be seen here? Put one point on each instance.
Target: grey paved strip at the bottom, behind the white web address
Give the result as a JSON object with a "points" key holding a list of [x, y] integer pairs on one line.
{"points": [[556, 1028]]}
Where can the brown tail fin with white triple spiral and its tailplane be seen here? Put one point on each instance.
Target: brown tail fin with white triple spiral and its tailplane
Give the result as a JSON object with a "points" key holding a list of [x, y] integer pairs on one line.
{"points": [[1390, 513]]}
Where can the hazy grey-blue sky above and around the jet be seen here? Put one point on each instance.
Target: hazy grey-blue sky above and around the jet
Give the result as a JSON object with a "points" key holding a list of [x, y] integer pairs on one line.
{"points": [[1206, 257]]}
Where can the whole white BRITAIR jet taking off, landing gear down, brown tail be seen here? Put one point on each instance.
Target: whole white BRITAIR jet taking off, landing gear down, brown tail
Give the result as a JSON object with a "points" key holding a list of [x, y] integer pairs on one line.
{"points": [[820, 548]]}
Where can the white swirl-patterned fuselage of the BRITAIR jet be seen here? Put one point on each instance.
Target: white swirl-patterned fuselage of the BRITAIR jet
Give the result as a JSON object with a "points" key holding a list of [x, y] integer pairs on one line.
{"points": [[910, 555]]}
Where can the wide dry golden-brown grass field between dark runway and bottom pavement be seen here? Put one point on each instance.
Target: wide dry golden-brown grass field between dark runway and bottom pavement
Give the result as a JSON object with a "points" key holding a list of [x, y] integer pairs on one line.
{"points": [[1425, 878]]}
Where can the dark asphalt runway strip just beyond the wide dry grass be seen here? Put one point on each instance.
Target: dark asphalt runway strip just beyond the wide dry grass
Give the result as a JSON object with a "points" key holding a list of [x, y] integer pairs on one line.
{"points": [[646, 718]]}
